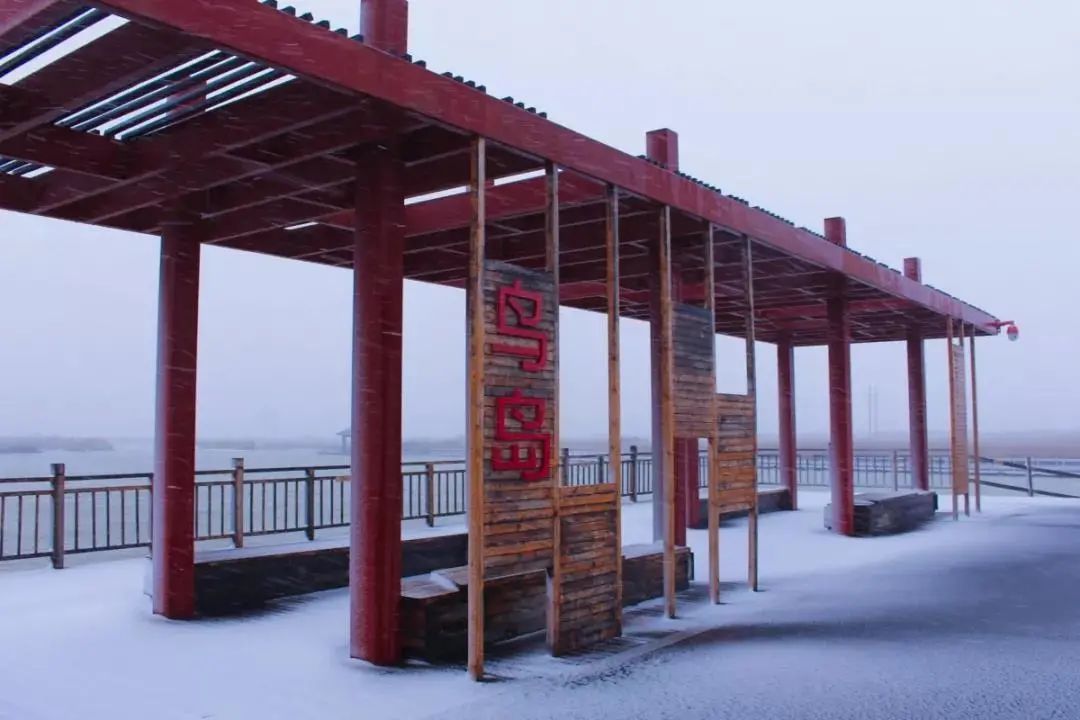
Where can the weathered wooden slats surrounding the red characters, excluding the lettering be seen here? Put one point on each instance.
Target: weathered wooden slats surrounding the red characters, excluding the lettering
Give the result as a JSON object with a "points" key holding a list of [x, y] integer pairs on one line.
{"points": [[519, 514]]}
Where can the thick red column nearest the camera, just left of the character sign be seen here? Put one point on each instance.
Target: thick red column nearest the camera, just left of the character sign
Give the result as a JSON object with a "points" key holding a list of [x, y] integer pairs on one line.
{"points": [[376, 504]]}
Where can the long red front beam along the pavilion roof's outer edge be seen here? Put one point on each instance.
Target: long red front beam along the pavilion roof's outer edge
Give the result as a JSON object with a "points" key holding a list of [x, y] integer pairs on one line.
{"points": [[265, 34]]}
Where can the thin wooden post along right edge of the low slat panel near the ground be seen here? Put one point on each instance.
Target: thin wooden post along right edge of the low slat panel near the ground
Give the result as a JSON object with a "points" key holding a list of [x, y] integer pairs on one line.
{"points": [[615, 397]]}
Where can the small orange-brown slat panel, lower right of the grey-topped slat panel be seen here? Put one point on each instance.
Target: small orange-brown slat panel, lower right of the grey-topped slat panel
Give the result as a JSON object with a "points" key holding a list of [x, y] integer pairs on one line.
{"points": [[735, 472]]}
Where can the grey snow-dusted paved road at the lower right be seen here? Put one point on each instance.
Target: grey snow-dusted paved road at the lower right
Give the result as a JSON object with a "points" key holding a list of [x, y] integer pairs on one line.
{"points": [[985, 634]]}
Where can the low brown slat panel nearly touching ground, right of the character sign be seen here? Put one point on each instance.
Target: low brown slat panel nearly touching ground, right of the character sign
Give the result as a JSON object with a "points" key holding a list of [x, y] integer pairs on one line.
{"points": [[588, 595]]}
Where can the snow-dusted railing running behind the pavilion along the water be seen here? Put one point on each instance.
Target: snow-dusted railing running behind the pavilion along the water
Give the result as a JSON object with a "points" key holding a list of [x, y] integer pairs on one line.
{"points": [[59, 515]]}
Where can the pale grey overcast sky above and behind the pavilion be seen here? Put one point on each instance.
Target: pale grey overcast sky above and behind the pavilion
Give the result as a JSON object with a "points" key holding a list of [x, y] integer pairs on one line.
{"points": [[946, 131]]}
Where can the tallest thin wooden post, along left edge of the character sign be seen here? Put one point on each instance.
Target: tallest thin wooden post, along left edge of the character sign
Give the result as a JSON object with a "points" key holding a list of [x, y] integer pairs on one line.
{"points": [[475, 304]]}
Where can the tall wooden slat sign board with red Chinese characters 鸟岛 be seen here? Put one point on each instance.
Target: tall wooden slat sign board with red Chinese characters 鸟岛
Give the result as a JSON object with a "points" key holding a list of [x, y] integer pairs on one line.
{"points": [[520, 316]]}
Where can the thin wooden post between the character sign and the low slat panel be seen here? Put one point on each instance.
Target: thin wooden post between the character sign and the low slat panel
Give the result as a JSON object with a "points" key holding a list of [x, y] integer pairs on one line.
{"points": [[551, 265]]}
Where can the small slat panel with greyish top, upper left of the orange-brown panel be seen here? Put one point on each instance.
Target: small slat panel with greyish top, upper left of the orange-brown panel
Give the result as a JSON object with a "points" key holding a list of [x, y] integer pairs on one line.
{"points": [[695, 383]]}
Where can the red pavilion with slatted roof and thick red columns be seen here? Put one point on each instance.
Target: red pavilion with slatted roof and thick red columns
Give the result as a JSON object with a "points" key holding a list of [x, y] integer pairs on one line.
{"points": [[248, 126]]}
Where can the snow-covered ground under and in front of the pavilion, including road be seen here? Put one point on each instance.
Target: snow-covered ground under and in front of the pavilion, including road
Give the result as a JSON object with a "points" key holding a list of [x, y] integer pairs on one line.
{"points": [[978, 619]]}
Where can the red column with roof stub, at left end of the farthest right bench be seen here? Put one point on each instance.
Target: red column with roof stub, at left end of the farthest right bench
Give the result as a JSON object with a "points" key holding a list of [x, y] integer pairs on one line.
{"points": [[840, 396]]}
